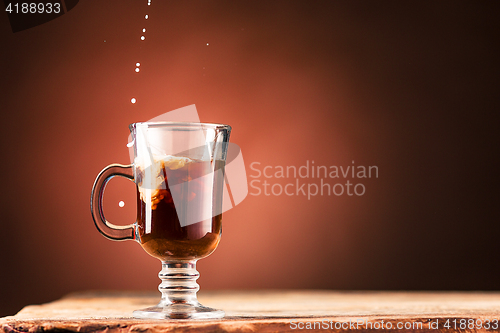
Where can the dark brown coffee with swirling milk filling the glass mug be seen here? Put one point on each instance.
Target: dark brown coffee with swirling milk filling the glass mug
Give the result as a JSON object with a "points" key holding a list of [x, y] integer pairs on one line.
{"points": [[178, 215]]}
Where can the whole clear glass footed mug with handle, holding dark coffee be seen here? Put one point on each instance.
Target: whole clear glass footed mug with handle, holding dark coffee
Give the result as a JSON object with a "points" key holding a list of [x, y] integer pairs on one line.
{"points": [[179, 172]]}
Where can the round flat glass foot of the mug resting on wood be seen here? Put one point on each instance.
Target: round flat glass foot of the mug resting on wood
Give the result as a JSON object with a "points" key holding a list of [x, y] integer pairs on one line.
{"points": [[179, 311]]}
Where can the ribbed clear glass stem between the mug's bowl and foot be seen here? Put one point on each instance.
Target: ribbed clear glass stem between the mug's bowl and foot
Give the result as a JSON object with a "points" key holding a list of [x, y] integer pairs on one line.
{"points": [[178, 283]]}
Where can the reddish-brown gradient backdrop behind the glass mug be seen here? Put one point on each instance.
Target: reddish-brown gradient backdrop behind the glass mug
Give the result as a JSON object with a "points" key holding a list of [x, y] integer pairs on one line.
{"points": [[411, 87]]}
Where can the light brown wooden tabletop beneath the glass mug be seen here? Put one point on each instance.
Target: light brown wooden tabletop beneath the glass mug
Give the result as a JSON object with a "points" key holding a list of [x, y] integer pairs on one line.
{"points": [[270, 311]]}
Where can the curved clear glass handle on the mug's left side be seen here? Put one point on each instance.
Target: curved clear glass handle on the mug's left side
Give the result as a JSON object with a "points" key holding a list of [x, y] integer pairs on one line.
{"points": [[109, 230]]}
